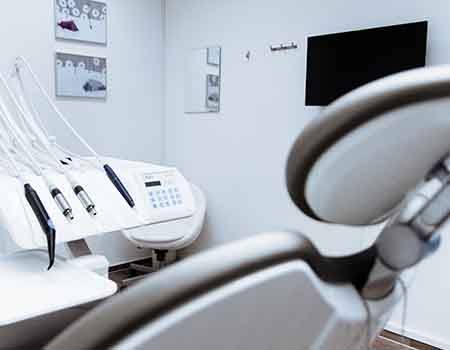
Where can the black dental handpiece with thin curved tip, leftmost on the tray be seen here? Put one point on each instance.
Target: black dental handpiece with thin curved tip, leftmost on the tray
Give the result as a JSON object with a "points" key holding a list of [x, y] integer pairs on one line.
{"points": [[44, 220]]}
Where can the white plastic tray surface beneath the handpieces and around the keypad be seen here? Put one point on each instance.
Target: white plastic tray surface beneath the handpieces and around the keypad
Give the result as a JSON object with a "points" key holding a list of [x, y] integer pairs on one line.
{"points": [[114, 214]]}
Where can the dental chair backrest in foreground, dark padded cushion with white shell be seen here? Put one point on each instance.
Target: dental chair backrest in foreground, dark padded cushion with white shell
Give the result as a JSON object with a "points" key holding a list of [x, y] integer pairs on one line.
{"points": [[260, 293]]}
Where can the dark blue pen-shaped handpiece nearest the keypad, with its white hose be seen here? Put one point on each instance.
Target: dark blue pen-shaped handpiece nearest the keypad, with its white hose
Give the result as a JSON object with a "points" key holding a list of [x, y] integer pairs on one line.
{"points": [[113, 177]]}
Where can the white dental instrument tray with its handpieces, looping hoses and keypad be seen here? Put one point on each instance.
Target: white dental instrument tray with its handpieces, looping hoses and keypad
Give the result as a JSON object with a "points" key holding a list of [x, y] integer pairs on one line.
{"points": [[45, 169]]}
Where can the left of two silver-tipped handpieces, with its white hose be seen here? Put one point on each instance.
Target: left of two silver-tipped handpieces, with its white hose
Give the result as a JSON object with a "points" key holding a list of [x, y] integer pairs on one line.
{"points": [[57, 195]]}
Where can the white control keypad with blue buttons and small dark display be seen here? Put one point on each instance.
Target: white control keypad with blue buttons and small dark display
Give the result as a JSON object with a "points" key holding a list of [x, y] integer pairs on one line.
{"points": [[168, 196]]}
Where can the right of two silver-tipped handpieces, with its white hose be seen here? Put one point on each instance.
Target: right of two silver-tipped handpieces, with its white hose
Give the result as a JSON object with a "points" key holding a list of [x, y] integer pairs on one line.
{"points": [[26, 112]]}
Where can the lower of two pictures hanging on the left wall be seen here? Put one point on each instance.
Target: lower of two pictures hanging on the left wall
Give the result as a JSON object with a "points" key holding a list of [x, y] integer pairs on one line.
{"points": [[80, 76]]}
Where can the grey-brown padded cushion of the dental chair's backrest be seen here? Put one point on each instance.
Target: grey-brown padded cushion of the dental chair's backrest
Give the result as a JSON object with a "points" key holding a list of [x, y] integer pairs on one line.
{"points": [[122, 314]]}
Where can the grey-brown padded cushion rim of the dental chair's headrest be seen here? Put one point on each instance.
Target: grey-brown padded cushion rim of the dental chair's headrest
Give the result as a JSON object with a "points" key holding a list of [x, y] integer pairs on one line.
{"points": [[353, 110]]}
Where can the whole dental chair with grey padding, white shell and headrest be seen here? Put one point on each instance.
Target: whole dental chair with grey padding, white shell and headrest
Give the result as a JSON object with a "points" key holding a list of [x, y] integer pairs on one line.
{"points": [[376, 156]]}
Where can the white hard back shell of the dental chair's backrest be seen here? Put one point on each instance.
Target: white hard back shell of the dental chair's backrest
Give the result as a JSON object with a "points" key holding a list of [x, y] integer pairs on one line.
{"points": [[284, 307]]}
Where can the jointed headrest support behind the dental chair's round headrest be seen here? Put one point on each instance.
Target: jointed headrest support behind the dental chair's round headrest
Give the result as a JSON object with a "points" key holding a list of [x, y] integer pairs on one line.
{"points": [[413, 234]]}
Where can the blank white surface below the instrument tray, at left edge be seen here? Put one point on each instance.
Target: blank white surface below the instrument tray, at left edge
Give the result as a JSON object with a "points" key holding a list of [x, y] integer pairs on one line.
{"points": [[29, 290]]}
